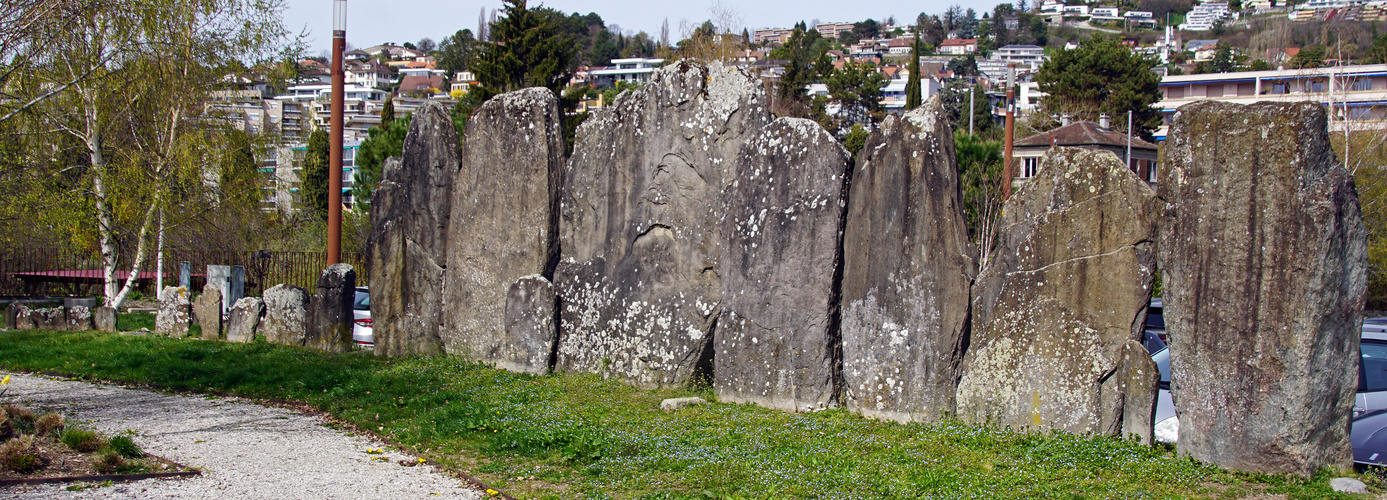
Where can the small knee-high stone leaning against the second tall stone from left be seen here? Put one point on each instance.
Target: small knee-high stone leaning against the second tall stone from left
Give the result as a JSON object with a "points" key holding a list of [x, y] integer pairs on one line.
{"points": [[531, 331]]}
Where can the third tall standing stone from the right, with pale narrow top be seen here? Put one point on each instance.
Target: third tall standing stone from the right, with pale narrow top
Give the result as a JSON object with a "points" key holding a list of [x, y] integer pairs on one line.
{"points": [[908, 270]]}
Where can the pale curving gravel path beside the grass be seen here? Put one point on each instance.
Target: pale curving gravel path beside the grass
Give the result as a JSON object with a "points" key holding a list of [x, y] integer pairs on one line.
{"points": [[245, 451]]}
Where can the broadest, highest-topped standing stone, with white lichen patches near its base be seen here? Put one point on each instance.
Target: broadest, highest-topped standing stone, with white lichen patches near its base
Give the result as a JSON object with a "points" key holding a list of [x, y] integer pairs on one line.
{"points": [[641, 224]]}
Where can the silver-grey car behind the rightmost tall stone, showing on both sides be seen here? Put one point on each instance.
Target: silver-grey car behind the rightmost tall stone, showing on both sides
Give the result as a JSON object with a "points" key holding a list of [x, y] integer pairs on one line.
{"points": [[1372, 387]]}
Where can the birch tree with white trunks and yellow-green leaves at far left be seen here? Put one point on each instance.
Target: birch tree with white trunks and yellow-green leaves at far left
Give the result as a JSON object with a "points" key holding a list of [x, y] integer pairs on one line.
{"points": [[127, 85]]}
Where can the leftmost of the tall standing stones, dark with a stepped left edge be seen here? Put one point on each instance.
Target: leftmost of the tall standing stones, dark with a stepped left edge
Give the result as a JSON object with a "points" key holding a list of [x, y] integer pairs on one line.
{"points": [[408, 242]]}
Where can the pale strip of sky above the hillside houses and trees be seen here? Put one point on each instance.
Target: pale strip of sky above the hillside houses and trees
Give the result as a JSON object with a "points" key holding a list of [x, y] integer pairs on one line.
{"points": [[377, 22]]}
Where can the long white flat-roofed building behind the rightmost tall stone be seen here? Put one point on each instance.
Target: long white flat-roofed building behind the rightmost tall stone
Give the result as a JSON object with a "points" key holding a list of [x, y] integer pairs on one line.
{"points": [[1356, 94]]}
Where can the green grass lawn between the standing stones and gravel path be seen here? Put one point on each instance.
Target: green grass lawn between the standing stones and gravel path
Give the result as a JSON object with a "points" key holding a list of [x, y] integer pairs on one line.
{"points": [[579, 437]]}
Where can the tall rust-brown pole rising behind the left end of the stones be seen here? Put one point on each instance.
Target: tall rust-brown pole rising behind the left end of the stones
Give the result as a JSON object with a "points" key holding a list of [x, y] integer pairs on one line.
{"points": [[335, 155]]}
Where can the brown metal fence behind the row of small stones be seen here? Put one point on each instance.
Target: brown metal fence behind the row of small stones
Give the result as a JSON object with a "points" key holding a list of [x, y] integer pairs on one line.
{"points": [[56, 273]]}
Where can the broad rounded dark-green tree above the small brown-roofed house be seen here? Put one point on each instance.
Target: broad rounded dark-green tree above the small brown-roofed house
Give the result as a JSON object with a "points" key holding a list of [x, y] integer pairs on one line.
{"points": [[1102, 77]]}
